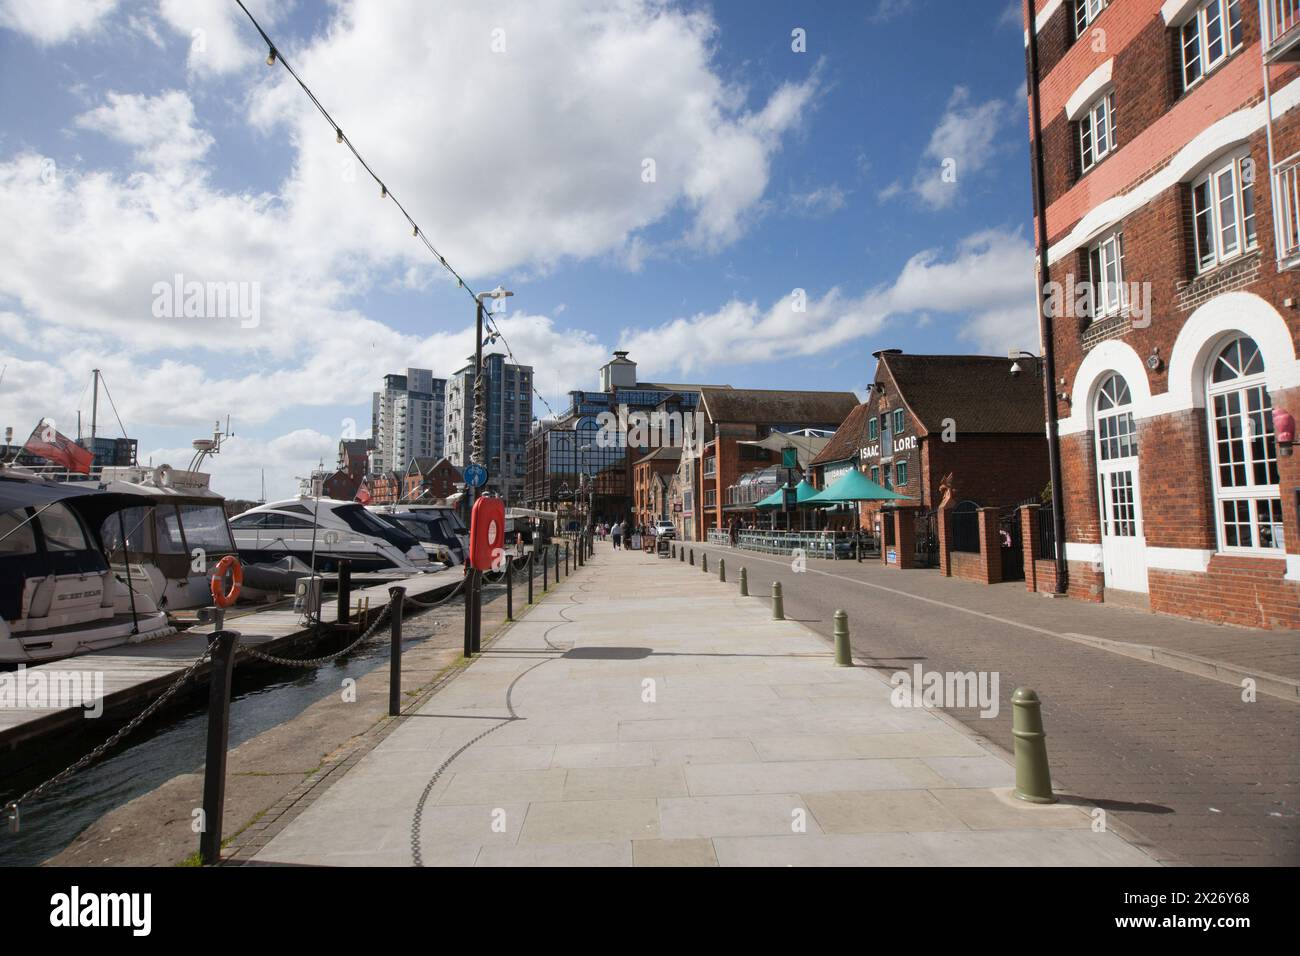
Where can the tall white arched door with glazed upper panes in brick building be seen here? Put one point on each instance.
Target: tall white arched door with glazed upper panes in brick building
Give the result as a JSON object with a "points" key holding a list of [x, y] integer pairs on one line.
{"points": [[1124, 547]]}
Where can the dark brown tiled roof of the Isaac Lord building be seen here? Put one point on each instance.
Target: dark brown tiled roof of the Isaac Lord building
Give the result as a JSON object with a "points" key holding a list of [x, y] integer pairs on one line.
{"points": [[978, 392]]}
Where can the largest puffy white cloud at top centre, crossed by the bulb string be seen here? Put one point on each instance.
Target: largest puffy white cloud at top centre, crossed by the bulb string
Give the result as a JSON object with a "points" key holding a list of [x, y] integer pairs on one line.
{"points": [[535, 155]]}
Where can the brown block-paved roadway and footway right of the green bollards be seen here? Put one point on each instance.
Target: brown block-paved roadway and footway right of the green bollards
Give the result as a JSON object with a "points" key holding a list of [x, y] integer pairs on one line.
{"points": [[1203, 775]]}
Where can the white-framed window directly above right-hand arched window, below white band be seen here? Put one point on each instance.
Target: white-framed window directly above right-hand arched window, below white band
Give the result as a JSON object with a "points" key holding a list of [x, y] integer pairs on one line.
{"points": [[1210, 207]]}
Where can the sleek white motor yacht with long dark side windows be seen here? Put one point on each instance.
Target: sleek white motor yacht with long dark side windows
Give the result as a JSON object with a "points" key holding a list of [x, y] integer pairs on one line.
{"points": [[320, 533]]}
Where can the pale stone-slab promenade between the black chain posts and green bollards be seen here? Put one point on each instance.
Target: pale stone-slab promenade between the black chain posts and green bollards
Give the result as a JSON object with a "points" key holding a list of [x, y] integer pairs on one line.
{"points": [[644, 713]]}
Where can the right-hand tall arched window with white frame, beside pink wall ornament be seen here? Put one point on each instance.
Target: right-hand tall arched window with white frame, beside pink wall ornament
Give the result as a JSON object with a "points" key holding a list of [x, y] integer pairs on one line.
{"points": [[1243, 449]]}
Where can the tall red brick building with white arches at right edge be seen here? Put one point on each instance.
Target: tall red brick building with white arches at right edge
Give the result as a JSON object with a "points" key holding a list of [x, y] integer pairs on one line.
{"points": [[1171, 154]]}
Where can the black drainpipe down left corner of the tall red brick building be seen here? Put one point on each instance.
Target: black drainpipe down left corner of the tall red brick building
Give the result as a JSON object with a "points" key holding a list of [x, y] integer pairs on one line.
{"points": [[1046, 326]]}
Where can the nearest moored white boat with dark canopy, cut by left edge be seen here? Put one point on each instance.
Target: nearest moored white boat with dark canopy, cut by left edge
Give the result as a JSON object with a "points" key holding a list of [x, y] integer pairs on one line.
{"points": [[59, 596]]}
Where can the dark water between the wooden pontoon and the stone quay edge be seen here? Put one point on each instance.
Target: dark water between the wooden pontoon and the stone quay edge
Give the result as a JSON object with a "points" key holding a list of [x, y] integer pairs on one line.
{"points": [[171, 743]]}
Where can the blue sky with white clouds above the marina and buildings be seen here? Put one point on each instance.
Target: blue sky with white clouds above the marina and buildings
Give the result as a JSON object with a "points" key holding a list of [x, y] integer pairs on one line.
{"points": [[749, 193]]}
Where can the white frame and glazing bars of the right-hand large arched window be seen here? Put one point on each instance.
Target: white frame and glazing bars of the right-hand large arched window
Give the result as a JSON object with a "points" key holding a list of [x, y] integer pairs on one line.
{"points": [[1250, 494]]}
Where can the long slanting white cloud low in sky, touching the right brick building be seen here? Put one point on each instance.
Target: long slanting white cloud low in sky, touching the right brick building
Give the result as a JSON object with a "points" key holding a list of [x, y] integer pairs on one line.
{"points": [[987, 283]]}
